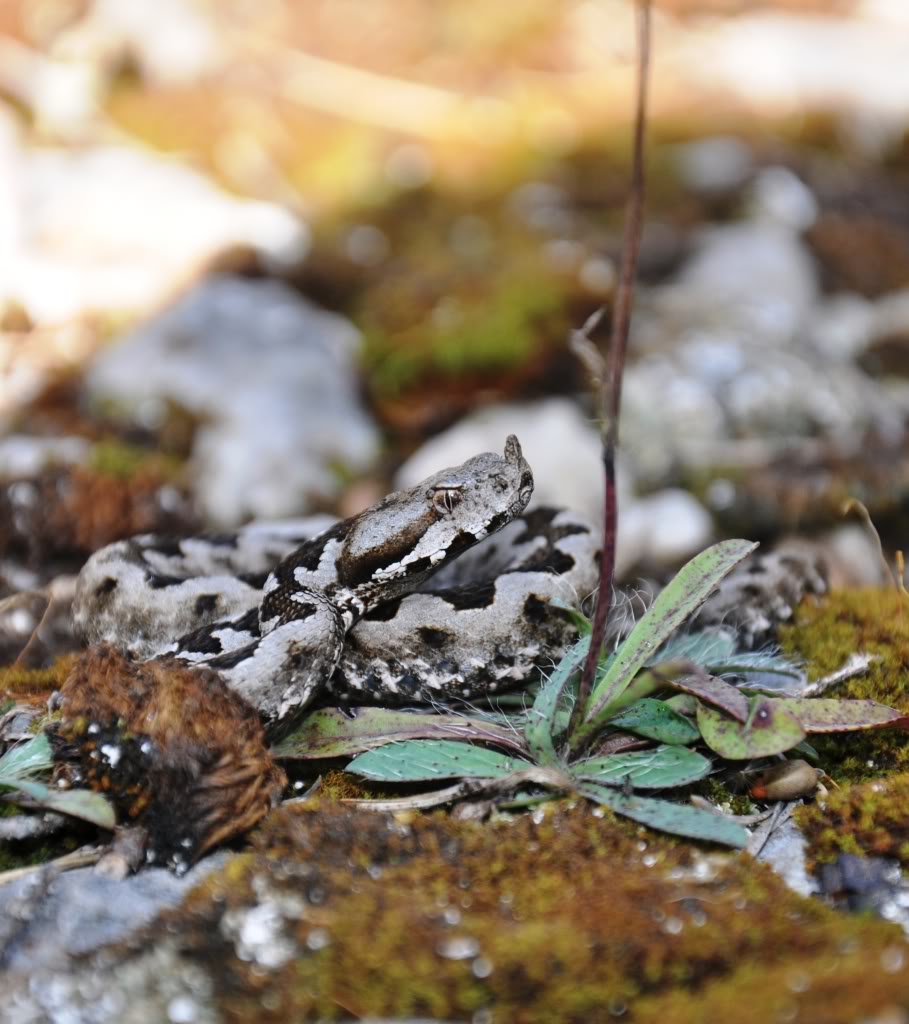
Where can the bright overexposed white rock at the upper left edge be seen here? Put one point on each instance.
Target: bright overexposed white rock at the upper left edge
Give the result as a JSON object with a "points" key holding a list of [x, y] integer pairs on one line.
{"points": [[118, 229]]}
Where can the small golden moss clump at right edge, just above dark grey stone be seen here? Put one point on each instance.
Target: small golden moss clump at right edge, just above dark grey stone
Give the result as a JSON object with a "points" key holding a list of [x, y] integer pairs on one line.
{"points": [[864, 820]]}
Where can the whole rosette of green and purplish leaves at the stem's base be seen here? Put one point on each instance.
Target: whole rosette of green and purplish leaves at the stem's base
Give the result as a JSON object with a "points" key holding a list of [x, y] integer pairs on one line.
{"points": [[659, 691]]}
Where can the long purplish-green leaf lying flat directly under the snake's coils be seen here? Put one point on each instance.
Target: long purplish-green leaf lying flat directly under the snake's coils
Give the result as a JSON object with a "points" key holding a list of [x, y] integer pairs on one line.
{"points": [[331, 734]]}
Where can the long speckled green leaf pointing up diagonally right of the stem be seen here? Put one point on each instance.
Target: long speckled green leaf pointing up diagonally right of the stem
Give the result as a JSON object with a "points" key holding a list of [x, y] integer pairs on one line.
{"points": [[678, 602]]}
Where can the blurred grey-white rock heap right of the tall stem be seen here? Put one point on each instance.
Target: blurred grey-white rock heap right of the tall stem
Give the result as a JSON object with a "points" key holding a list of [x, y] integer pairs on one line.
{"points": [[740, 348]]}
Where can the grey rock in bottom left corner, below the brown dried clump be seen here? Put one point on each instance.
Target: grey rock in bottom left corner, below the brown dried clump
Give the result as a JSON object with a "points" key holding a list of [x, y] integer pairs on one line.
{"points": [[50, 917]]}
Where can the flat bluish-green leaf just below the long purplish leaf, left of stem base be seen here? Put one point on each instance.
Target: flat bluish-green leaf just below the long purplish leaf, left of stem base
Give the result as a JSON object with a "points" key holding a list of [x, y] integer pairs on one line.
{"points": [[428, 760]]}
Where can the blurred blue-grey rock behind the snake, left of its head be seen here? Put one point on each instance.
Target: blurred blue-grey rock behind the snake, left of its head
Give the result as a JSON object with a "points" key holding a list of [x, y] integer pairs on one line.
{"points": [[273, 378]]}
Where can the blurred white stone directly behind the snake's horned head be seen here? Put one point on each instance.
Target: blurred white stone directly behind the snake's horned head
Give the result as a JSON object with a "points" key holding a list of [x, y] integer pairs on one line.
{"points": [[559, 442]]}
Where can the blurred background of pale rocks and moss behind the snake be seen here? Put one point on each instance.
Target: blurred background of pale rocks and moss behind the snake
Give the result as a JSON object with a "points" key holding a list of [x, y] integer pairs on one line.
{"points": [[265, 260]]}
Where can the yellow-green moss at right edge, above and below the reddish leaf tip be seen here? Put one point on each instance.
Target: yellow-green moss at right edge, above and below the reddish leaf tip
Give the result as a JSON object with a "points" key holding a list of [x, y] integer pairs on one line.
{"points": [[826, 634]]}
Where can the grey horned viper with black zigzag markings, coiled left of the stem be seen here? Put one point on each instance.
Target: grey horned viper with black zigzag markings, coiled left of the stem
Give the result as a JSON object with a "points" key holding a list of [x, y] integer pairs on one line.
{"points": [[451, 589]]}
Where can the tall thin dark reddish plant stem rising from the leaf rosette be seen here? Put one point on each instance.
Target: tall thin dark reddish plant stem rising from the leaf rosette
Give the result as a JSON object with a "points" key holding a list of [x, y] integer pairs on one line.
{"points": [[611, 399]]}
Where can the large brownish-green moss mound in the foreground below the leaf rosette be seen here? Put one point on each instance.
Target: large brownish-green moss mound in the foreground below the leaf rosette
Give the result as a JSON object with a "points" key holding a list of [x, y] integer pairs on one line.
{"points": [[564, 917]]}
